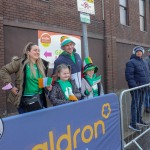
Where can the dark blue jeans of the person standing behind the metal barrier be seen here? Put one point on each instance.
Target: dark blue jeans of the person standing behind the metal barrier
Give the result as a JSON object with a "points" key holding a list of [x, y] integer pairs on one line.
{"points": [[138, 97]]}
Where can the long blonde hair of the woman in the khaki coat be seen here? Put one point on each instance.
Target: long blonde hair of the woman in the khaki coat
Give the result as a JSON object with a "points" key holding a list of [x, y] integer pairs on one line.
{"points": [[39, 62]]}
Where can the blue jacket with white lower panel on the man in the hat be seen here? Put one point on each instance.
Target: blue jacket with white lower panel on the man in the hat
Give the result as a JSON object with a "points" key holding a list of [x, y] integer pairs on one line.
{"points": [[75, 67]]}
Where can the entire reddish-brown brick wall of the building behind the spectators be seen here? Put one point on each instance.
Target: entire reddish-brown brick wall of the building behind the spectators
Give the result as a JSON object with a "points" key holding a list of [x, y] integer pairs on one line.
{"points": [[62, 14]]}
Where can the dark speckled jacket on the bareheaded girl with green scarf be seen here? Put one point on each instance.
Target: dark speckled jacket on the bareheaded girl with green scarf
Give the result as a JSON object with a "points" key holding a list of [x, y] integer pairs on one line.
{"points": [[57, 96]]}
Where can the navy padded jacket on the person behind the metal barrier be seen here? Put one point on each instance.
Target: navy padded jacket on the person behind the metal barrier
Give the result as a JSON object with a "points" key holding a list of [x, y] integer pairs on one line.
{"points": [[137, 72]]}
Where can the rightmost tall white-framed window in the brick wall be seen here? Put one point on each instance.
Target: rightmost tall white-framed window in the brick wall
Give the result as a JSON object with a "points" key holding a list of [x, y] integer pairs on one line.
{"points": [[142, 15]]}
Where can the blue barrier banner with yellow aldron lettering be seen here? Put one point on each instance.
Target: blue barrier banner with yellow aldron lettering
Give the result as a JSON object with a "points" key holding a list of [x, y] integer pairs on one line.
{"points": [[92, 124]]}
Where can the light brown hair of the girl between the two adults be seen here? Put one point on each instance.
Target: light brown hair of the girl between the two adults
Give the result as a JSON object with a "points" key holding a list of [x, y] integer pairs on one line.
{"points": [[59, 69]]}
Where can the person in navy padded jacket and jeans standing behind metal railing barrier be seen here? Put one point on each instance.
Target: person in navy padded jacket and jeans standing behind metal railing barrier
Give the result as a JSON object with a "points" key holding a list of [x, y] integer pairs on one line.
{"points": [[137, 74]]}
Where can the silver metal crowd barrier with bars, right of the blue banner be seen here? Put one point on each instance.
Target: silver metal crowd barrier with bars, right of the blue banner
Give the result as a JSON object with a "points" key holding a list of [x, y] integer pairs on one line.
{"points": [[129, 136]]}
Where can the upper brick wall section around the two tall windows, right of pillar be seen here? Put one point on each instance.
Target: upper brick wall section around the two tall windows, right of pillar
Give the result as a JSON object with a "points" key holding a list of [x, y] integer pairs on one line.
{"points": [[132, 34]]}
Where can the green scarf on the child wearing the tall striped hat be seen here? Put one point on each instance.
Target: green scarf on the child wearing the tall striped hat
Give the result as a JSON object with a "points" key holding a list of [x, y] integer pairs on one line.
{"points": [[93, 83]]}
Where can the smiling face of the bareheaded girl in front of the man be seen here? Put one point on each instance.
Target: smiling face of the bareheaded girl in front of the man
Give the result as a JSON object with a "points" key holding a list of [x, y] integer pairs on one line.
{"points": [[64, 74]]}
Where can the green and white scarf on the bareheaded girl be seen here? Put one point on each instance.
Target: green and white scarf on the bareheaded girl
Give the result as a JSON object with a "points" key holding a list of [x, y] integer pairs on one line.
{"points": [[65, 86]]}
